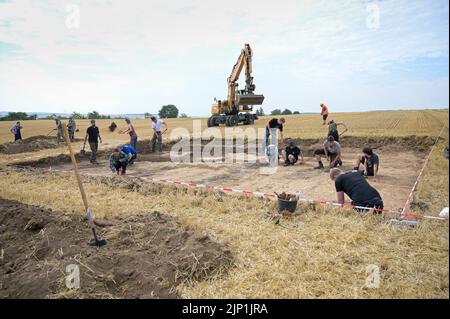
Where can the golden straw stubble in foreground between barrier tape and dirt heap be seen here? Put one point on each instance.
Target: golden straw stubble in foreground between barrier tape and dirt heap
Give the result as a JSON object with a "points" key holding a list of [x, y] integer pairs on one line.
{"points": [[320, 254]]}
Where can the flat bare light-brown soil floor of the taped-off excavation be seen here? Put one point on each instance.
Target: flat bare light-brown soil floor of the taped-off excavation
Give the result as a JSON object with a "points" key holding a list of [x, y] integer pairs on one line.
{"points": [[400, 160]]}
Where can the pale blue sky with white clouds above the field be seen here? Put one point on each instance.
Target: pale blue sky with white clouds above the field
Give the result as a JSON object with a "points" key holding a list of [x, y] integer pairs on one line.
{"points": [[134, 56]]}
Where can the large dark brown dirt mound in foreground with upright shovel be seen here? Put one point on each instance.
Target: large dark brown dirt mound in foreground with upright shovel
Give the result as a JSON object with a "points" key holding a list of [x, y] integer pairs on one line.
{"points": [[147, 255]]}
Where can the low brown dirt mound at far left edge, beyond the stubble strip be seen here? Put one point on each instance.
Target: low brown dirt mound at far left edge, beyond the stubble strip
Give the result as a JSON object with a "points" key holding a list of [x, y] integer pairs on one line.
{"points": [[31, 144]]}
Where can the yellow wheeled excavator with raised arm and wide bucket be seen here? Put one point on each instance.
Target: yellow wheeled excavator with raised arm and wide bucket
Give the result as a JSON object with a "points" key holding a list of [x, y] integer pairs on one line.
{"points": [[238, 106]]}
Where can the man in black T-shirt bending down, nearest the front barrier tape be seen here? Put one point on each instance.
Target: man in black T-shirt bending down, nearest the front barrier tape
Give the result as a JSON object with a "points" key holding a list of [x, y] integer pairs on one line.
{"points": [[357, 188]]}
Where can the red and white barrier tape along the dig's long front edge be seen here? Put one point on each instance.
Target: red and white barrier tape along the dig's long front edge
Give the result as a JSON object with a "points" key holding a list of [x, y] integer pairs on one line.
{"points": [[270, 196]]}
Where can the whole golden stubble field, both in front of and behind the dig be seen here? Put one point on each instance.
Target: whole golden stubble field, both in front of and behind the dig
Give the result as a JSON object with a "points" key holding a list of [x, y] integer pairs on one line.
{"points": [[320, 254]]}
